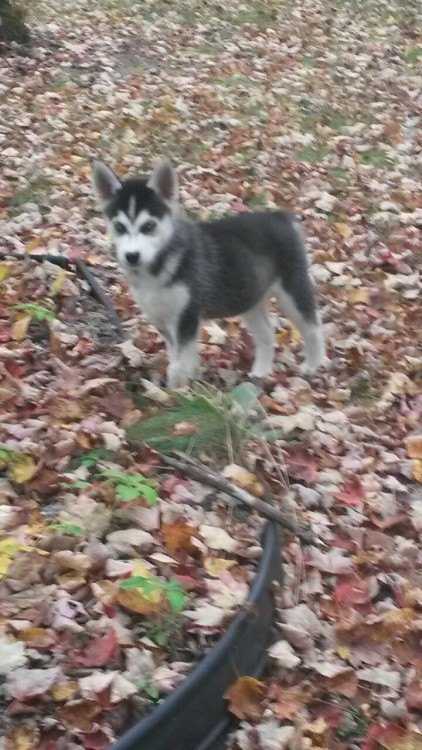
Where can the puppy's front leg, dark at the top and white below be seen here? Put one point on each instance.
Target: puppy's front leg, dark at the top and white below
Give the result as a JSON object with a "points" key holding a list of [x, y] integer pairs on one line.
{"points": [[183, 351]]}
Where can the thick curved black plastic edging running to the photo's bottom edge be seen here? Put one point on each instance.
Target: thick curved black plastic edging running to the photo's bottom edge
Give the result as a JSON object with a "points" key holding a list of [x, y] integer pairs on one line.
{"points": [[195, 714]]}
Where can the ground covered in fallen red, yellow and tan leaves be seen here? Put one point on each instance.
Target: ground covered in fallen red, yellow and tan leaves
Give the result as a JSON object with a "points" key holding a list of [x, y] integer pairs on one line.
{"points": [[313, 106]]}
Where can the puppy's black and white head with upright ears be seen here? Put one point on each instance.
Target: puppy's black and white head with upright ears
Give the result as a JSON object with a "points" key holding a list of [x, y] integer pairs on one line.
{"points": [[140, 212]]}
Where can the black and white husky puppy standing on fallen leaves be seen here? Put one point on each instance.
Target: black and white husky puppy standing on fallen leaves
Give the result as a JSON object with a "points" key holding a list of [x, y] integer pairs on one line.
{"points": [[183, 272]]}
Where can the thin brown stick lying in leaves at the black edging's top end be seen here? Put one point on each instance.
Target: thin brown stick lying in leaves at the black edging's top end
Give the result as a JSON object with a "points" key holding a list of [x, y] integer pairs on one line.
{"points": [[203, 474]]}
